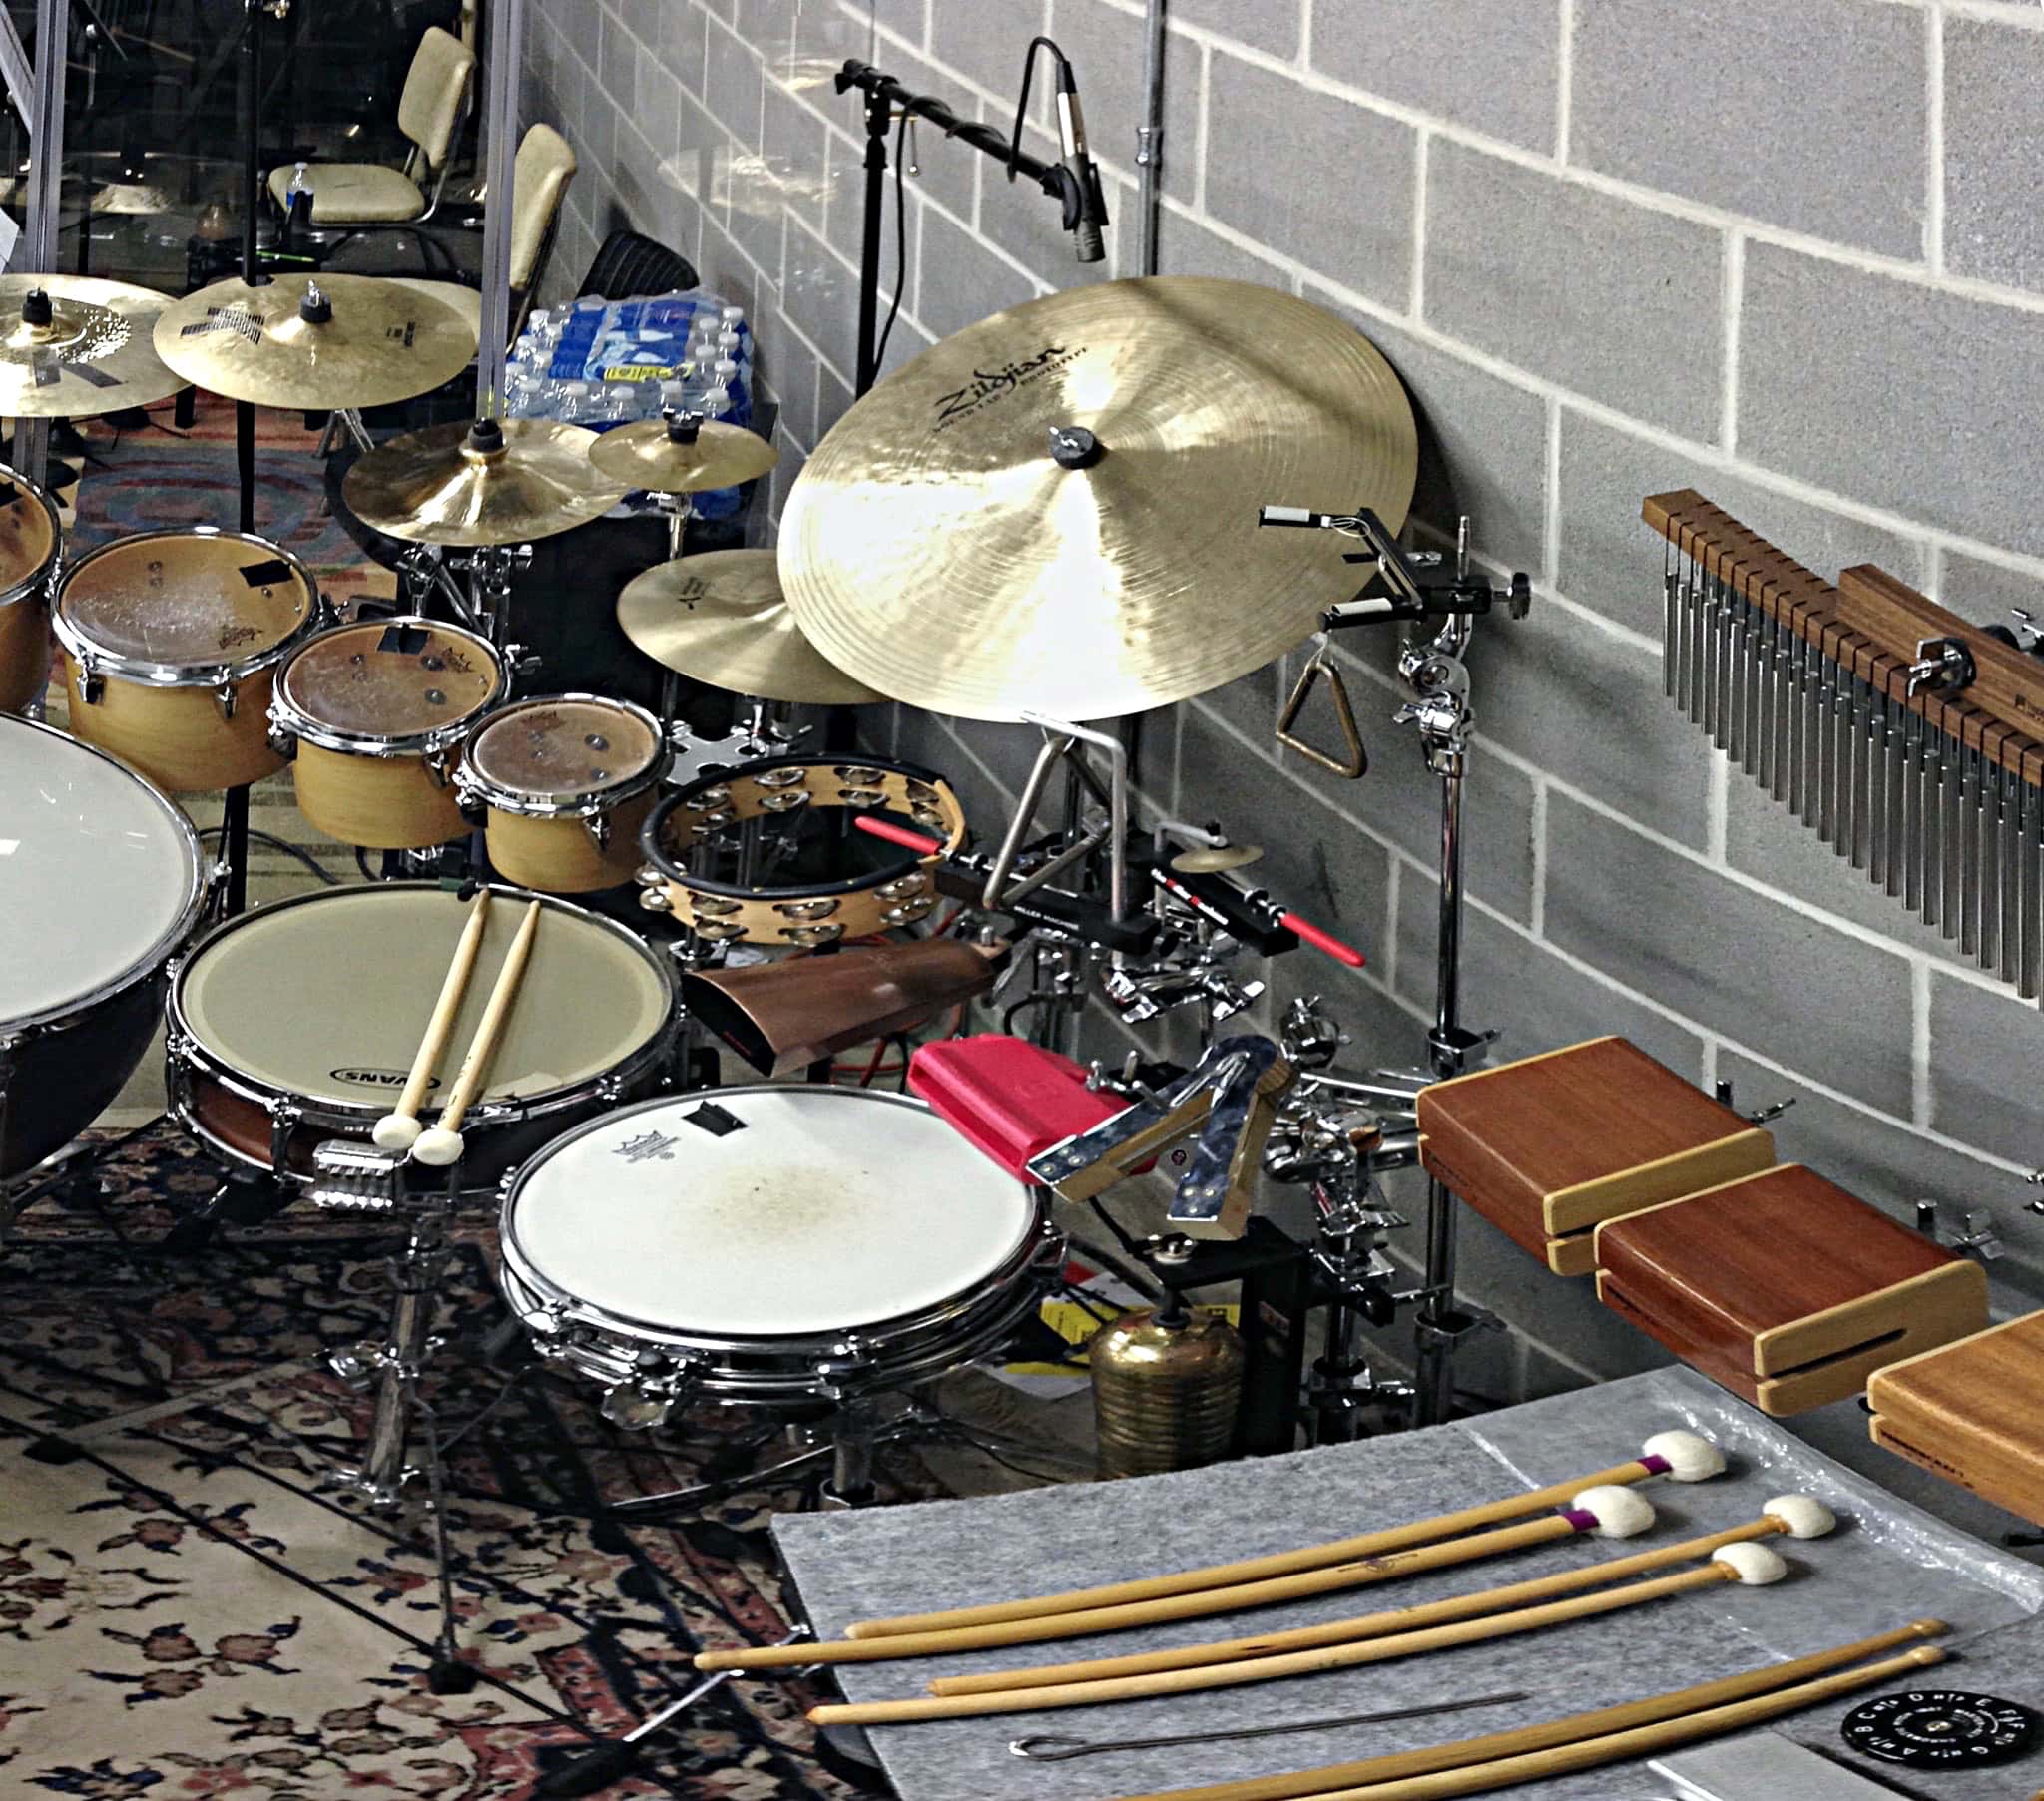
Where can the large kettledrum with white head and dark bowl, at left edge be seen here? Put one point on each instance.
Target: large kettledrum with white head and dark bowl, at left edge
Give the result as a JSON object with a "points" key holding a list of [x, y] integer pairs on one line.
{"points": [[99, 886]]}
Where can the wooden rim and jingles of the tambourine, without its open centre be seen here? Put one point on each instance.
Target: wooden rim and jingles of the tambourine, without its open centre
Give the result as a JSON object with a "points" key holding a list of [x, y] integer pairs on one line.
{"points": [[817, 913]]}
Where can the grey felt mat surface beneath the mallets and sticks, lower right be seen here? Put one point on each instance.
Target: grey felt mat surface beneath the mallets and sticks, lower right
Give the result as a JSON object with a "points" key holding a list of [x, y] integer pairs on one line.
{"points": [[1888, 1565]]}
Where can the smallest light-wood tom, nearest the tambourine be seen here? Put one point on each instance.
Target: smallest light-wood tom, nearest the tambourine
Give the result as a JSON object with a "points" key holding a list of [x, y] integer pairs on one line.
{"points": [[565, 786]]}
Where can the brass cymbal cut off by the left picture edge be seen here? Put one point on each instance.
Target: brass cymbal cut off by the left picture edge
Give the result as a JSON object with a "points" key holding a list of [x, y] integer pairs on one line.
{"points": [[75, 349]]}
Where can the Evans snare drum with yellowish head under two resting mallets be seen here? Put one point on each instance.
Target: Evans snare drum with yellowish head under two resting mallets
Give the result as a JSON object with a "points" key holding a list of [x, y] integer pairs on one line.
{"points": [[299, 1021]]}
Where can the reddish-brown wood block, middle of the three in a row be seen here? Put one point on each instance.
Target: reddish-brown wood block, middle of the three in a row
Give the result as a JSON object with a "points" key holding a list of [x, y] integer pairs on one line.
{"points": [[1785, 1289]]}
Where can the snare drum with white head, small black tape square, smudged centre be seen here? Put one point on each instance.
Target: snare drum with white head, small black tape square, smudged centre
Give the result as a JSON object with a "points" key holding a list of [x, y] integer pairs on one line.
{"points": [[774, 1244]]}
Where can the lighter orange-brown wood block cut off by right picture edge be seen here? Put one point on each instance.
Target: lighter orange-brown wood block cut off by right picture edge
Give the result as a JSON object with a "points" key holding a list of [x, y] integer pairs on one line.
{"points": [[1973, 1414]]}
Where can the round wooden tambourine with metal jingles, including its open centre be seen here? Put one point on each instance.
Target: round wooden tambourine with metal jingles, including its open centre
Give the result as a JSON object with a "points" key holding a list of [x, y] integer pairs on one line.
{"points": [[765, 851]]}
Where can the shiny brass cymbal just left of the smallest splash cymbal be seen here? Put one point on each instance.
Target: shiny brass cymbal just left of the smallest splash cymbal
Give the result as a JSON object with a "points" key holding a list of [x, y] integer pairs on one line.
{"points": [[469, 486]]}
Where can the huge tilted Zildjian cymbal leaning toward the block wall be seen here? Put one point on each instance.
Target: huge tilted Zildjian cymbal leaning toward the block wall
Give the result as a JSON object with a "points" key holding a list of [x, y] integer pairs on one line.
{"points": [[935, 547]]}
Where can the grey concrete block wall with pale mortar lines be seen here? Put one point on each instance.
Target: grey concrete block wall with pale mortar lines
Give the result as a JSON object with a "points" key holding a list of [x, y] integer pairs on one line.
{"points": [[1781, 250]]}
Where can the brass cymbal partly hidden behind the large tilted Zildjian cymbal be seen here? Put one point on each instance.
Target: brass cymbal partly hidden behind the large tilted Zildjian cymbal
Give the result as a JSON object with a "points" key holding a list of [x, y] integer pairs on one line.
{"points": [[721, 618]]}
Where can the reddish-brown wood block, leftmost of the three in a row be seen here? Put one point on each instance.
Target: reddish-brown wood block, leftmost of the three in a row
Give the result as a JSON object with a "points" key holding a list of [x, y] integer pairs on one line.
{"points": [[1552, 1146]]}
